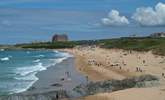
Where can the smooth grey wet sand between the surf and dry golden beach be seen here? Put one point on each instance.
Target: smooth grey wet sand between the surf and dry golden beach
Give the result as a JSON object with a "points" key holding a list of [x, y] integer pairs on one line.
{"points": [[55, 78]]}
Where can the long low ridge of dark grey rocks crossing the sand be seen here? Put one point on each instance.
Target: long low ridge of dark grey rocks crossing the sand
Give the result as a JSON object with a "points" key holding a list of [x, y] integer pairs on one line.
{"points": [[115, 85]]}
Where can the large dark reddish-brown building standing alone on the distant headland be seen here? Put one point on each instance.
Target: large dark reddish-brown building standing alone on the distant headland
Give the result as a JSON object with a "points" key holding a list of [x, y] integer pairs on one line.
{"points": [[59, 38]]}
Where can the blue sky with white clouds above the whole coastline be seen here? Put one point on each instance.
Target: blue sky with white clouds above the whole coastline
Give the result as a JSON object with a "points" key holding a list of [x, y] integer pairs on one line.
{"points": [[38, 20]]}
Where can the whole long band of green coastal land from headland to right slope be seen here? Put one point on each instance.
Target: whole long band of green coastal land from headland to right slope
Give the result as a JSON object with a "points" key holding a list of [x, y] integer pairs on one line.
{"points": [[157, 45]]}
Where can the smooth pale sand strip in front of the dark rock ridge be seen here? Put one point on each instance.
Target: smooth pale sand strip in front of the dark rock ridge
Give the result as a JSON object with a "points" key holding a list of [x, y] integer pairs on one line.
{"points": [[155, 93]]}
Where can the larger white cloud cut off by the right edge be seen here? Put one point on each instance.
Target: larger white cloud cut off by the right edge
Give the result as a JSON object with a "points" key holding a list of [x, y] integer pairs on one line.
{"points": [[148, 16]]}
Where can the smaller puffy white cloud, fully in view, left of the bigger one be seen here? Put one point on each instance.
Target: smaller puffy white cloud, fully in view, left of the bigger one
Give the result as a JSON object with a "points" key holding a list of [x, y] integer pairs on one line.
{"points": [[114, 19]]}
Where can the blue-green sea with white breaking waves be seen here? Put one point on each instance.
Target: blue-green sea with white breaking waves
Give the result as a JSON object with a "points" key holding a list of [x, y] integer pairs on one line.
{"points": [[18, 68]]}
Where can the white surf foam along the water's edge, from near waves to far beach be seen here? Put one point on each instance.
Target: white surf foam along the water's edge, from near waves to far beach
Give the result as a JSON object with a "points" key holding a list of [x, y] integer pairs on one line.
{"points": [[28, 73]]}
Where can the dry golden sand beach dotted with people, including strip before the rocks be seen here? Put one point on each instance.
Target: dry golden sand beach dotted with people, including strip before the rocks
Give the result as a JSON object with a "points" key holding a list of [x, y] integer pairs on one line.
{"points": [[102, 64]]}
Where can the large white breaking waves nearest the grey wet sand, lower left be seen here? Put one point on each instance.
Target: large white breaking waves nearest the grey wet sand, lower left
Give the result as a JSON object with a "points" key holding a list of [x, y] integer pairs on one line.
{"points": [[27, 74]]}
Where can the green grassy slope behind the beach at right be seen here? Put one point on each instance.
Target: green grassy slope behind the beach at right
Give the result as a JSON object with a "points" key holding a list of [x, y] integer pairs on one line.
{"points": [[157, 45]]}
